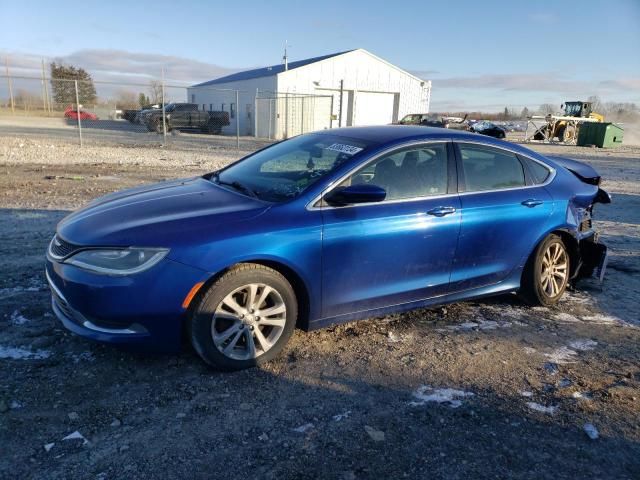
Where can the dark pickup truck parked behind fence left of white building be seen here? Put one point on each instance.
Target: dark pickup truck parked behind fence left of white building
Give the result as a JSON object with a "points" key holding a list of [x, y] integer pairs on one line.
{"points": [[180, 116]]}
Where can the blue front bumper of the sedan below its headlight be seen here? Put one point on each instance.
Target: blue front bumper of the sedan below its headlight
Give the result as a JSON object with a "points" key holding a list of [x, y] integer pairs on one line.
{"points": [[143, 310]]}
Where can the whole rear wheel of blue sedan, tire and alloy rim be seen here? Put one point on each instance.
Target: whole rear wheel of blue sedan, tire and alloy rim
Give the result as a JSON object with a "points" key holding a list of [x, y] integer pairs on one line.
{"points": [[538, 287]]}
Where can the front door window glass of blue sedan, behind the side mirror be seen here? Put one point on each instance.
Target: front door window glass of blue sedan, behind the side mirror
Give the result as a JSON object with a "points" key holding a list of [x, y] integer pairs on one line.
{"points": [[407, 173]]}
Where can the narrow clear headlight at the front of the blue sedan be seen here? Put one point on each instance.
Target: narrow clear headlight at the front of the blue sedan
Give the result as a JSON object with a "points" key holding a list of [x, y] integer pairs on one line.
{"points": [[124, 261]]}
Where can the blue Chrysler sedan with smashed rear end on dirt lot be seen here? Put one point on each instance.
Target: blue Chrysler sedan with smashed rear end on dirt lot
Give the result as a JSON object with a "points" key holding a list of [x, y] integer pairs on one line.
{"points": [[320, 229]]}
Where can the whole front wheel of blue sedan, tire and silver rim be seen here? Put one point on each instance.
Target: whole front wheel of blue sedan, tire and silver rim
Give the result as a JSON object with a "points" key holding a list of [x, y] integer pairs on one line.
{"points": [[245, 334]]}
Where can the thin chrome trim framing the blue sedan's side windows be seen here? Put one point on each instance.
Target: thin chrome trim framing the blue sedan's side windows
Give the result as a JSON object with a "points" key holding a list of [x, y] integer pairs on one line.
{"points": [[310, 206]]}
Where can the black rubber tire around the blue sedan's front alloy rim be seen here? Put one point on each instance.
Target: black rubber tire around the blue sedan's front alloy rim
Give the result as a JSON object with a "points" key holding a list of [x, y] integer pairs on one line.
{"points": [[201, 326]]}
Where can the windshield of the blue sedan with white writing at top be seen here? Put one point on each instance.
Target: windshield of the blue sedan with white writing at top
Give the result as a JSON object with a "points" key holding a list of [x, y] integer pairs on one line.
{"points": [[286, 169]]}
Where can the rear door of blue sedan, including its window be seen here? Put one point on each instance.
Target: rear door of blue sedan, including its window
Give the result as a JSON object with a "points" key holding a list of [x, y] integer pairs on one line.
{"points": [[503, 211]]}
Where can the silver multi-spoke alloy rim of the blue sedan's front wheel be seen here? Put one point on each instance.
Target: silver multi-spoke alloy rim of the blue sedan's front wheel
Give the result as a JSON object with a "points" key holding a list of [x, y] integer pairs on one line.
{"points": [[248, 321]]}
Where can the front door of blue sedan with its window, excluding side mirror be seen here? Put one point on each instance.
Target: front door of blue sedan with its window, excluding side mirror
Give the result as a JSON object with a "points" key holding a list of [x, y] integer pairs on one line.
{"points": [[399, 250]]}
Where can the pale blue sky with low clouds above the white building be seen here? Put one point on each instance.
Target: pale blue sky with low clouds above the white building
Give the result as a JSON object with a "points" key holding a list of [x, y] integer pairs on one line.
{"points": [[480, 55]]}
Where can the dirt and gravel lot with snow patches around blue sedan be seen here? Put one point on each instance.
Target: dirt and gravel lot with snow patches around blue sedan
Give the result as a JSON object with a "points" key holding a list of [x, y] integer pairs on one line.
{"points": [[488, 389]]}
